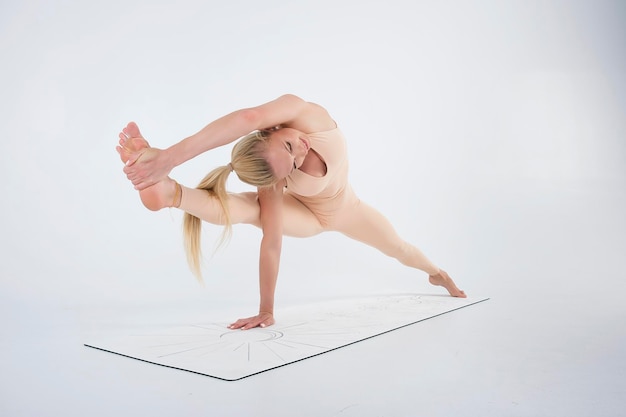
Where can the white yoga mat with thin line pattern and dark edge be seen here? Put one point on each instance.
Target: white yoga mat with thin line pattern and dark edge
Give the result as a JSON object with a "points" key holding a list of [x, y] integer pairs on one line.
{"points": [[300, 332]]}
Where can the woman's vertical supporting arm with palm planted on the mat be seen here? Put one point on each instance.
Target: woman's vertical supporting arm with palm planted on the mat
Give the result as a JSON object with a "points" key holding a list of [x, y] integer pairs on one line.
{"points": [[271, 203]]}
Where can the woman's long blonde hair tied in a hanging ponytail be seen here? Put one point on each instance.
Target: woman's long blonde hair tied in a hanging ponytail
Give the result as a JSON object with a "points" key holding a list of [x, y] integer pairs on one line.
{"points": [[250, 165]]}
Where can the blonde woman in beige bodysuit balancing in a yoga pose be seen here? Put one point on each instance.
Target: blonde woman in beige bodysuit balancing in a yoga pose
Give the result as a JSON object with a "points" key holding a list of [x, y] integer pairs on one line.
{"points": [[296, 157]]}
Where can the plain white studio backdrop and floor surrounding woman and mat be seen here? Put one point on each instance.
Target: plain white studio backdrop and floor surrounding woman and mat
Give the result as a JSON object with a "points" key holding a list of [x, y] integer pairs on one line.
{"points": [[491, 133]]}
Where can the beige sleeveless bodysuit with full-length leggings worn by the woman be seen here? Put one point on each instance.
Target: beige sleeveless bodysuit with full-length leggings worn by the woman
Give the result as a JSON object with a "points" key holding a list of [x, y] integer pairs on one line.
{"points": [[312, 205]]}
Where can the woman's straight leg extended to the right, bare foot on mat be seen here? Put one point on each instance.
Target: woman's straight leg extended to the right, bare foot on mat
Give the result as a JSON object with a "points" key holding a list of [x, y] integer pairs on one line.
{"points": [[367, 225]]}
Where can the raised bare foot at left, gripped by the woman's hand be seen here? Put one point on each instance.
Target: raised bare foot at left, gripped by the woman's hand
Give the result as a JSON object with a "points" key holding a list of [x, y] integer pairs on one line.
{"points": [[158, 196]]}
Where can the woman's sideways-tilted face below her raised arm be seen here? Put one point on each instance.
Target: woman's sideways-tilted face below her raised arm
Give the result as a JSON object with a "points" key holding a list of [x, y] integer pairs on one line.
{"points": [[287, 148]]}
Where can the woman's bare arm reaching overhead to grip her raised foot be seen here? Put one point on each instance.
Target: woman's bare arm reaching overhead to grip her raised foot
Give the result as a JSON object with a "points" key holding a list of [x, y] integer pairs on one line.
{"points": [[153, 164]]}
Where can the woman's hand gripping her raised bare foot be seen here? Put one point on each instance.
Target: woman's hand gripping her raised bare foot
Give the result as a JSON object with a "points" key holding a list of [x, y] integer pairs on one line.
{"points": [[147, 167]]}
